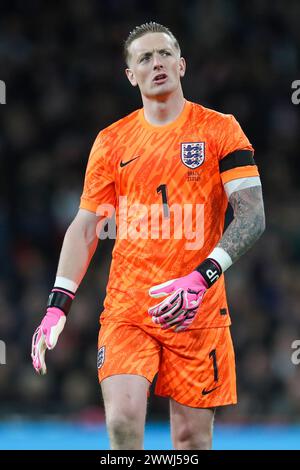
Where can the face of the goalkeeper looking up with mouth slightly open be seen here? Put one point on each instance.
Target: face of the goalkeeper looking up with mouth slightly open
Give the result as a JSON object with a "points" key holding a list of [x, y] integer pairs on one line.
{"points": [[155, 65]]}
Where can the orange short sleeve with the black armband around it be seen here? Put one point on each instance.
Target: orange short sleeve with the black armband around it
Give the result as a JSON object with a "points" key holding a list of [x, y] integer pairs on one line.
{"points": [[235, 152]]}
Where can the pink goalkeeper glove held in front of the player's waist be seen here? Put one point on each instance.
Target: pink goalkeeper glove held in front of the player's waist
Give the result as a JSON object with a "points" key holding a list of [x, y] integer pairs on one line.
{"points": [[185, 296]]}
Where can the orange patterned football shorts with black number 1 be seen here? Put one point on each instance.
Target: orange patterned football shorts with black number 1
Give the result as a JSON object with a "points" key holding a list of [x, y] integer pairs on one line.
{"points": [[195, 367]]}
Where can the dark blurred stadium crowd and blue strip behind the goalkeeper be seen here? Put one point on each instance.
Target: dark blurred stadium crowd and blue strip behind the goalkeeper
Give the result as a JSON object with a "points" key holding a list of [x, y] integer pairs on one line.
{"points": [[63, 69]]}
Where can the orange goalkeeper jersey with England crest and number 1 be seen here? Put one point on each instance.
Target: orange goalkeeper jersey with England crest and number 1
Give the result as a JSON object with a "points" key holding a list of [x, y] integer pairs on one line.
{"points": [[166, 184]]}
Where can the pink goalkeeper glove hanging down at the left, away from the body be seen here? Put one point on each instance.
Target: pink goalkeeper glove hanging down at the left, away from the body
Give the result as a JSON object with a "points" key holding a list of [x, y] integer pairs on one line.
{"points": [[47, 333]]}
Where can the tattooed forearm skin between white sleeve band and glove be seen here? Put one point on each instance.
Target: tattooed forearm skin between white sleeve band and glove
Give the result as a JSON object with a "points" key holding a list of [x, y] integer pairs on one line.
{"points": [[248, 223]]}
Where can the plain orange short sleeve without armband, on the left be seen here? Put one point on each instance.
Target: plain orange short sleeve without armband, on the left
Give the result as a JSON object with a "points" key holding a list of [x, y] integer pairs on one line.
{"points": [[99, 186]]}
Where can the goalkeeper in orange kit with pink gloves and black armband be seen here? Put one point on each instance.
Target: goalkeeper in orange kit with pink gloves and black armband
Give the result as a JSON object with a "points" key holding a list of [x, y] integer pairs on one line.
{"points": [[165, 310]]}
